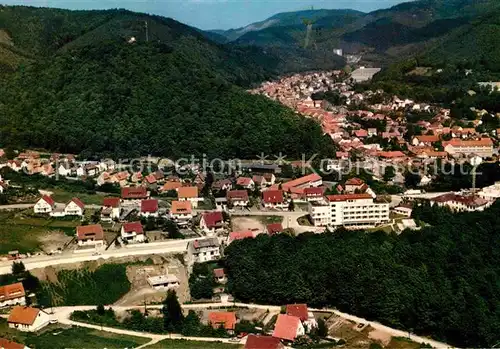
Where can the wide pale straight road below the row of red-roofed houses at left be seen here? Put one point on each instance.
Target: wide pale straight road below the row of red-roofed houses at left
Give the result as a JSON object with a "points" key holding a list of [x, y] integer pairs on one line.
{"points": [[133, 250]]}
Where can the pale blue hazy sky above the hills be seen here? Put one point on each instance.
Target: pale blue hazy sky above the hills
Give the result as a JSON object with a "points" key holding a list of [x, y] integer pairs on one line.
{"points": [[211, 14]]}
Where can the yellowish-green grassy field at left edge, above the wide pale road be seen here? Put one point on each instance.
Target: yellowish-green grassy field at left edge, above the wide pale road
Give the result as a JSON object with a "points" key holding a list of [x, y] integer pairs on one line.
{"points": [[22, 230]]}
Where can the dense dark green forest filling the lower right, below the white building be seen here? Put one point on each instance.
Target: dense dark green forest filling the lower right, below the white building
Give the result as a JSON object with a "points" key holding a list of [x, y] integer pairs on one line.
{"points": [[441, 281]]}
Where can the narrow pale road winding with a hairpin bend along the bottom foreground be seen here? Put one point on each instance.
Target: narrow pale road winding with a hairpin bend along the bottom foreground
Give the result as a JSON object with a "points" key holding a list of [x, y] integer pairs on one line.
{"points": [[62, 314]]}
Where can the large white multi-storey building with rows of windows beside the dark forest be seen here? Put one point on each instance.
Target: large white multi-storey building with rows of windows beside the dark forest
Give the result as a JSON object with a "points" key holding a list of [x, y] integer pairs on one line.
{"points": [[350, 210]]}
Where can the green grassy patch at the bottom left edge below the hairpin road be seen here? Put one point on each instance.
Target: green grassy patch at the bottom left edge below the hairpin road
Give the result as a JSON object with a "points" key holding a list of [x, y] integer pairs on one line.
{"points": [[78, 337]]}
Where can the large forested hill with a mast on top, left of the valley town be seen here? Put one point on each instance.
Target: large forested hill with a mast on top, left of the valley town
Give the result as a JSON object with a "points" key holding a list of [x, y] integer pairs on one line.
{"points": [[82, 86]]}
